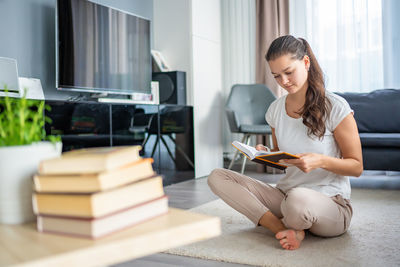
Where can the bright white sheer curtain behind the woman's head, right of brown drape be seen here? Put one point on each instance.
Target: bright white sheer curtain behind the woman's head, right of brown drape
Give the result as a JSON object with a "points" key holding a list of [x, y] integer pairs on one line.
{"points": [[346, 37]]}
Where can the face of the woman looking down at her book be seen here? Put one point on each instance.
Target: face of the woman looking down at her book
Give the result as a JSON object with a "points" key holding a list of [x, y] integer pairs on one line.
{"points": [[290, 74]]}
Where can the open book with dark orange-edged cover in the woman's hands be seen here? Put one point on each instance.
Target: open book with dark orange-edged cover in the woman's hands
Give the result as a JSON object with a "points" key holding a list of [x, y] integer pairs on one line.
{"points": [[264, 157]]}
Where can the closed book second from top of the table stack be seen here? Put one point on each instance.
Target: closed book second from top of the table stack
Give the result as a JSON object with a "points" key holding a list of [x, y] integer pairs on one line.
{"points": [[87, 183]]}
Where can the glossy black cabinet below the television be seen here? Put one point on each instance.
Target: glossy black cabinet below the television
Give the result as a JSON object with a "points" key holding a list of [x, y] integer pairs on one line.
{"points": [[165, 132]]}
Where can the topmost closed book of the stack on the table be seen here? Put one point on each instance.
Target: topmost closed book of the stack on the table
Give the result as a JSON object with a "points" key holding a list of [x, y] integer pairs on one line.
{"points": [[90, 160]]}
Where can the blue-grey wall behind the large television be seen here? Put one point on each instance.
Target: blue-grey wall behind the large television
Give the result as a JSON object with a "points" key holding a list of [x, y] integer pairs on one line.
{"points": [[27, 33]]}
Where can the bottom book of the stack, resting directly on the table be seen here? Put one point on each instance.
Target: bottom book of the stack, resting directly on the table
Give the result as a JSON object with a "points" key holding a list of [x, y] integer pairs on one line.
{"points": [[99, 227]]}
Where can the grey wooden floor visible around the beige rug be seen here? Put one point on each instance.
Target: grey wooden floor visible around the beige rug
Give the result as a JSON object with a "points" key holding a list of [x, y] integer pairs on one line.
{"points": [[192, 193]]}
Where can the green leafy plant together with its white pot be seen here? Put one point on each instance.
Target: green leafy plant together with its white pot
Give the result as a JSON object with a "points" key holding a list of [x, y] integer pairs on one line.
{"points": [[21, 149]]}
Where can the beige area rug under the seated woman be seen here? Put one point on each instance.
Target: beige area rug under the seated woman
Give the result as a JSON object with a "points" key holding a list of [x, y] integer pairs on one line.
{"points": [[372, 240]]}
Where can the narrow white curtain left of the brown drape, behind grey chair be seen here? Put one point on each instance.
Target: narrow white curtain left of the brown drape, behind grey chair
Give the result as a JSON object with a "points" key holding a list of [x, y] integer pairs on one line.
{"points": [[238, 53]]}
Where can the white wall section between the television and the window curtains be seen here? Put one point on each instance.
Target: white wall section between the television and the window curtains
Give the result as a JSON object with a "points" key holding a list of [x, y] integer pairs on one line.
{"points": [[195, 46]]}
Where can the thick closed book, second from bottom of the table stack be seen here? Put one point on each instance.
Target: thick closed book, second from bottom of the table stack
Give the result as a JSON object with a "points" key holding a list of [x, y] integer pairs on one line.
{"points": [[100, 203]]}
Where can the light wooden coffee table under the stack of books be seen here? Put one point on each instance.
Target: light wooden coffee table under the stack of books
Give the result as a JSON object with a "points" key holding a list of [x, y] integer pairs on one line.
{"points": [[23, 245]]}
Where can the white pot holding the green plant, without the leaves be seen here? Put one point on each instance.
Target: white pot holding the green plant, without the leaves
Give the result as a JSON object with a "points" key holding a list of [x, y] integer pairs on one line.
{"points": [[17, 166]]}
